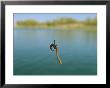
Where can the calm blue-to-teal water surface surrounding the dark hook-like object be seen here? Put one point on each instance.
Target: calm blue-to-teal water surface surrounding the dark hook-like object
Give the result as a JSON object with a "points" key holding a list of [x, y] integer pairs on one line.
{"points": [[77, 48]]}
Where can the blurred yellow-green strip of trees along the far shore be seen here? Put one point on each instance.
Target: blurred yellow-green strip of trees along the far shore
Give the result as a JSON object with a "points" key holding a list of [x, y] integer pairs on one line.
{"points": [[55, 22]]}
